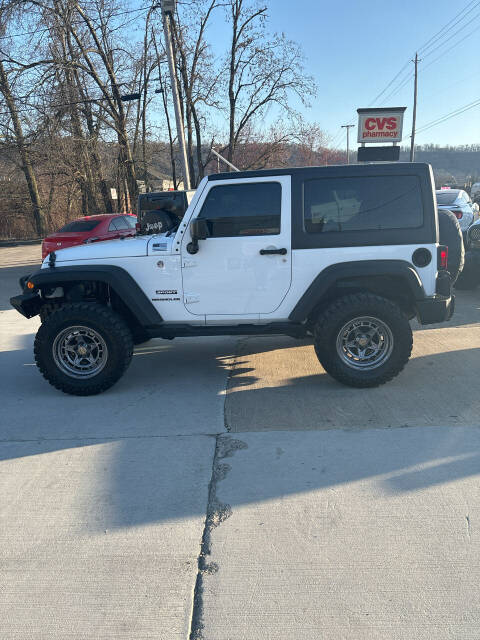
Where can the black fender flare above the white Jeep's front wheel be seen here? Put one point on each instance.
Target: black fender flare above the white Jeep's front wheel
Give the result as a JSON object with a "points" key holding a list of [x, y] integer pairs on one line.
{"points": [[115, 277]]}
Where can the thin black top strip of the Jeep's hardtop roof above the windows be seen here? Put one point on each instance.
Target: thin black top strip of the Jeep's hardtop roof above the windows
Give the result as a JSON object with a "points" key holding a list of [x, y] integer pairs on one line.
{"points": [[337, 170]]}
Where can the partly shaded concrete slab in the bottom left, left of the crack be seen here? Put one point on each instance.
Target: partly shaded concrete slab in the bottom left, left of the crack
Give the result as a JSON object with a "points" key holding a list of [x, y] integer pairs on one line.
{"points": [[100, 539]]}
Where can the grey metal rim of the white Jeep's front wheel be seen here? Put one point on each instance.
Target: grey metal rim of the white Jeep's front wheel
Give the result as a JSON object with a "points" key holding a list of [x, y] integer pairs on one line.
{"points": [[80, 352]]}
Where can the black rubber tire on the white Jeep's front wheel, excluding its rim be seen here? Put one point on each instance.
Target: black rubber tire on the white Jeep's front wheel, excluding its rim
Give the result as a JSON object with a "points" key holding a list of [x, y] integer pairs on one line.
{"points": [[106, 323]]}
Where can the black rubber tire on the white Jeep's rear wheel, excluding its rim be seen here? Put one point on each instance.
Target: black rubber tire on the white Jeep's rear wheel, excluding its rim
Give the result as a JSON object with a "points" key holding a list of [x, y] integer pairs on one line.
{"points": [[328, 329]]}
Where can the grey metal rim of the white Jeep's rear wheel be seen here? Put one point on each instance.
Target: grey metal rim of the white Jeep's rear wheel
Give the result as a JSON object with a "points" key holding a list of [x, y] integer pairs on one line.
{"points": [[364, 343]]}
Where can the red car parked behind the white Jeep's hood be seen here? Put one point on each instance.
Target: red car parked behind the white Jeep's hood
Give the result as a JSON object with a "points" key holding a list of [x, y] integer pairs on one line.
{"points": [[90, 229]]}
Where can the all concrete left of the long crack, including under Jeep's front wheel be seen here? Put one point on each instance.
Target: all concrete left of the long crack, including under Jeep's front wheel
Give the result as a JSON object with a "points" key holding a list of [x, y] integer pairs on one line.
{"points": [[103, 499]]}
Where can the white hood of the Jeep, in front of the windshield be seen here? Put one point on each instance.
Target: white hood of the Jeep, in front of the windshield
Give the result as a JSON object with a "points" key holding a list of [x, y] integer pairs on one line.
{"points": [[129, 247]]}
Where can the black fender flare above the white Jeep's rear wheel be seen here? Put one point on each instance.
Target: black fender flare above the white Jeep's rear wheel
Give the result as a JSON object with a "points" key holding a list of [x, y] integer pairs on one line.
{"points": [[327, 279]]}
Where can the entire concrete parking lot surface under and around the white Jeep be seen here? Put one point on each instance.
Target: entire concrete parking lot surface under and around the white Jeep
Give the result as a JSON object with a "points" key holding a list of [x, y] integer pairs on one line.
{"points": [[228, 488]]}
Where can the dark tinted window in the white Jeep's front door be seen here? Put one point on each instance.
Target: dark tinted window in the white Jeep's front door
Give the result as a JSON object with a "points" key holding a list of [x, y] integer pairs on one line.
{"points": [[248, 209]]}
